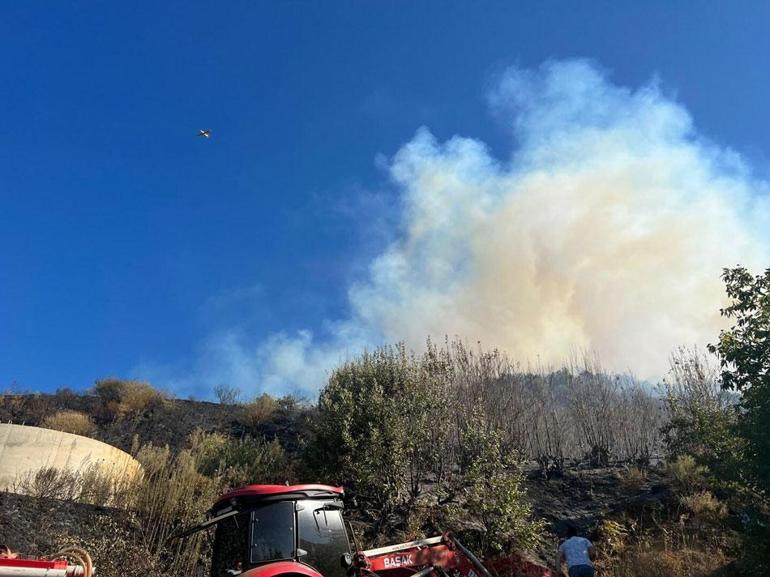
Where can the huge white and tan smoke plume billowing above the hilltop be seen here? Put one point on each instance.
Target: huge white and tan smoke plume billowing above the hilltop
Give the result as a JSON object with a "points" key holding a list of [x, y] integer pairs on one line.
{"points": [[606, 230]]}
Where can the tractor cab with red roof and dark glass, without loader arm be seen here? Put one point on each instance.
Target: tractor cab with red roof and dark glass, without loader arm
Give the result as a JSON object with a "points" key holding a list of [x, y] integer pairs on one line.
{"points": [[279, 529]]}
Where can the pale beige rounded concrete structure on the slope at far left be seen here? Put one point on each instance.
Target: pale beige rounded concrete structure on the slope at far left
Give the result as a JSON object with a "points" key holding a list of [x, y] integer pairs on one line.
{"points": [[26, 450]]}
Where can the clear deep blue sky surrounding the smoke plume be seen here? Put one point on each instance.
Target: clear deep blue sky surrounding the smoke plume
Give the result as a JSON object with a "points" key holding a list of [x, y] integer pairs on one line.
{"points": [[130, 247]]}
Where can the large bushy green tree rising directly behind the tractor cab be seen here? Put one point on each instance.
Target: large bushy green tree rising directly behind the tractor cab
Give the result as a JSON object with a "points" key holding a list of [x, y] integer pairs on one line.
{"points": [[385, 424]]}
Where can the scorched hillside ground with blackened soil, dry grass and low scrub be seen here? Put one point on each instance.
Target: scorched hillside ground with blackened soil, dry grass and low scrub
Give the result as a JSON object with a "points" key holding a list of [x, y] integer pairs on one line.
{"points": [[631, 513]]}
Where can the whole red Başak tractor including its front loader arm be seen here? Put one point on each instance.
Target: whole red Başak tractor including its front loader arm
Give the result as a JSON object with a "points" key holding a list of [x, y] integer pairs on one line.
{"points": [[299, 531]]}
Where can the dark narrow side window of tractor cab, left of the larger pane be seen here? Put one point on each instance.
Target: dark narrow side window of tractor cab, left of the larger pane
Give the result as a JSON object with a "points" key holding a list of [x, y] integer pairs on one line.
{"points": [[272, 532]]}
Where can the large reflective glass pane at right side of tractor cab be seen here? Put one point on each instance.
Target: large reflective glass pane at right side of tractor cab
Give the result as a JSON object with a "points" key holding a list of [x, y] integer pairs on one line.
{"points": [[322, 535]]}
